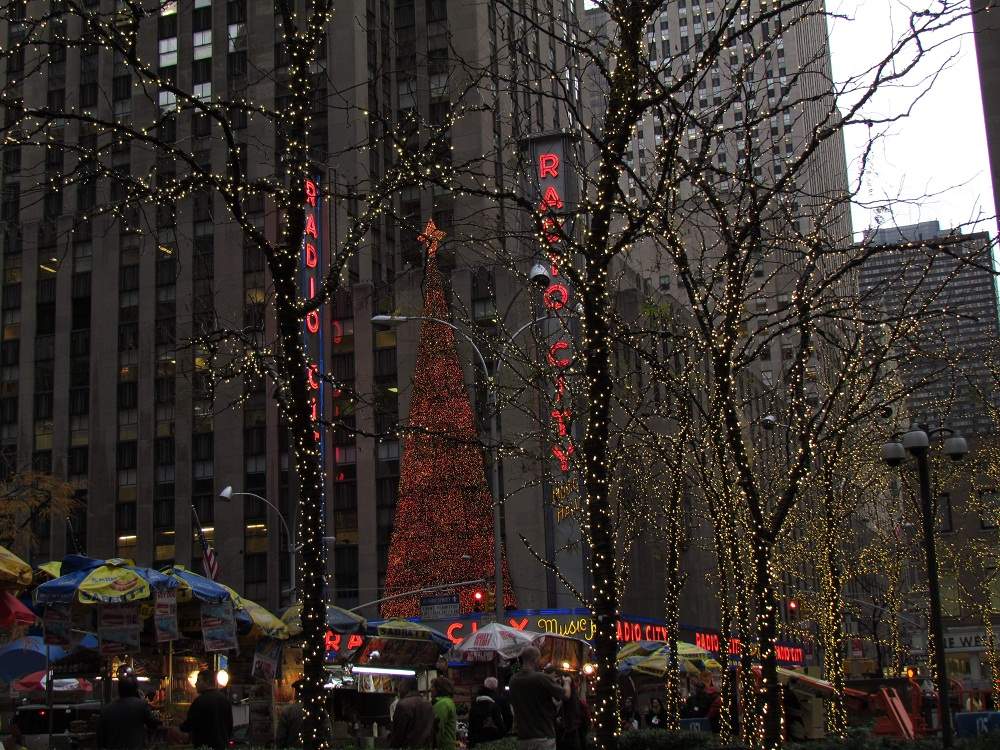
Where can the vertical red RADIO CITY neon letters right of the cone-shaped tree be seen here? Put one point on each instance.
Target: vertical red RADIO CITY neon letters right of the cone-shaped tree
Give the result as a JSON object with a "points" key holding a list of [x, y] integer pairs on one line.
{"points": [[555, 297]]}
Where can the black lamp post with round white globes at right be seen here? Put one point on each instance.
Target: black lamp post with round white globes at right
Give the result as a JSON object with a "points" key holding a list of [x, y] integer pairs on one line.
{"points": [[916, 441]]}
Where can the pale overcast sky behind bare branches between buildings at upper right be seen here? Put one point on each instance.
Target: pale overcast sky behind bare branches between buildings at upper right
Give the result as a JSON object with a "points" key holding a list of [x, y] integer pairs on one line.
{"points": [[941, 148]]}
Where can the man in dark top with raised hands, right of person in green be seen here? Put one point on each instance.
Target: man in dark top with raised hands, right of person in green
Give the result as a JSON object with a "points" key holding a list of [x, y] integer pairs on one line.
{"points": [[534, 697]]}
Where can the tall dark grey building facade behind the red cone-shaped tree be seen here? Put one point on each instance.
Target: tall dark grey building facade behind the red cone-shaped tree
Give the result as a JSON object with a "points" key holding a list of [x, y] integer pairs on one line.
{"points": [[101, 386]]}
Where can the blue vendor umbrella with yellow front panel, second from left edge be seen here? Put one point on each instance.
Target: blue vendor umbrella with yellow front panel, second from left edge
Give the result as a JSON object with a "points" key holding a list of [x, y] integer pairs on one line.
{"points": [[114, 581]]}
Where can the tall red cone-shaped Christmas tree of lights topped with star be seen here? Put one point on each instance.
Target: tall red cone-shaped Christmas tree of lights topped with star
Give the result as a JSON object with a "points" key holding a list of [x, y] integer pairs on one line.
{"points": [[443, 529]]}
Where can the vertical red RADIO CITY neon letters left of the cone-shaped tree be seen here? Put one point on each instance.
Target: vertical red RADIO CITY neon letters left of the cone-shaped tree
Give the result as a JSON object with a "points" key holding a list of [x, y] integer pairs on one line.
{"points": [[312, 280]]}
